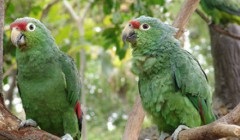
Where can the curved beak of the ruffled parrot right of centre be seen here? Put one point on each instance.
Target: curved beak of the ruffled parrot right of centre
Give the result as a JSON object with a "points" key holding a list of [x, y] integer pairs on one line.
{"points": [[129, 34]]}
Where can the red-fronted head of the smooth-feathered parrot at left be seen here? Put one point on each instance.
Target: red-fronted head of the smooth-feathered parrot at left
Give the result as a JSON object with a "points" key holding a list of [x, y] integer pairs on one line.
{"points": [[27, 32]]}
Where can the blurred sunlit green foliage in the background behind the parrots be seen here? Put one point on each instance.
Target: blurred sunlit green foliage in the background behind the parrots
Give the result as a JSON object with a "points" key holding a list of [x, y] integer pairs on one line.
{"points": [[110, 86]]}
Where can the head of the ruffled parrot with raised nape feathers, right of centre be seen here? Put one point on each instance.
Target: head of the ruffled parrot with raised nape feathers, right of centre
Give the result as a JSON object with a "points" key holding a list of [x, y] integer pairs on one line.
{"points": [[144, 31]]}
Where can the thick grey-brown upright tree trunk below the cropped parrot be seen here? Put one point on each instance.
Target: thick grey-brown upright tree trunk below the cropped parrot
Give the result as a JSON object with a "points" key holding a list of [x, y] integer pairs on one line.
{"points": [[226, 60]]}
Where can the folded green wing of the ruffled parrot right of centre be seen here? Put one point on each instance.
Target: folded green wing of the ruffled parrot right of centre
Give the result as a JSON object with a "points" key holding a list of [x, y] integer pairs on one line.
{"points": [[192, 81]]}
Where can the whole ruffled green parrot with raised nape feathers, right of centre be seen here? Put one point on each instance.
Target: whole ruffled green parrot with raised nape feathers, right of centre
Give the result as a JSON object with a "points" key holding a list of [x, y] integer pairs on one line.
{"points": [[172, 85]]}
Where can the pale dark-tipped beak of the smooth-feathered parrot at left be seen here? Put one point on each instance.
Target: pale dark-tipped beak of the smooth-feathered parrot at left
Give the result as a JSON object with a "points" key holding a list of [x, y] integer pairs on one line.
{"points": [[17, 38]]}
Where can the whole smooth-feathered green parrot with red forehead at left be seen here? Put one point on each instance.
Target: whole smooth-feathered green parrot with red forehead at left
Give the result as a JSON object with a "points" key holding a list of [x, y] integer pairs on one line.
{"points": [[48, 80]]}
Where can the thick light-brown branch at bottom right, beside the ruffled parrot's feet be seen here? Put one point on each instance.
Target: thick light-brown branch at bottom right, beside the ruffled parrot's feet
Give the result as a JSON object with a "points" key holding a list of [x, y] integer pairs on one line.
{"points": [[223, 127]]}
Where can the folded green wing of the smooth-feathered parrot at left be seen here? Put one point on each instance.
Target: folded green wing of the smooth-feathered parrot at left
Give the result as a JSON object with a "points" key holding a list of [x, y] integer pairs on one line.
{"points": [[72, 79]]}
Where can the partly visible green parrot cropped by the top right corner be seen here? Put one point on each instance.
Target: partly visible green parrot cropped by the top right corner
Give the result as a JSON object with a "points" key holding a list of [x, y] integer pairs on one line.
{"points": [[222, 11]]}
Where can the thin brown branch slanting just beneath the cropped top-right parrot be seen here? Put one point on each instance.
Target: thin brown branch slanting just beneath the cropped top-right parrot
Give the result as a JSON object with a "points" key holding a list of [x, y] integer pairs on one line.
{"points": [[216, 27]]}
